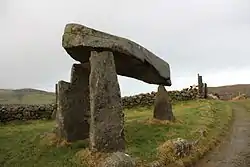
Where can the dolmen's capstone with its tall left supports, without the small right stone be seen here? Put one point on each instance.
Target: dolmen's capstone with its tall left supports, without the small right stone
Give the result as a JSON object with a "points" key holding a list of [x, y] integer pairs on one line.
{"points": [[90, 106]]}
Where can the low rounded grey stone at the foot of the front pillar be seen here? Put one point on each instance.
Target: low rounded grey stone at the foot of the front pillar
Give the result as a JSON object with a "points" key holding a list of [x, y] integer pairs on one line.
{"points": [[118, 159]]}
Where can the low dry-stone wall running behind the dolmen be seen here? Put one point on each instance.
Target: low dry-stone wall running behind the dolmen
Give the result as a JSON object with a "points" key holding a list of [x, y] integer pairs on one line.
{"points": [[12, 112]]}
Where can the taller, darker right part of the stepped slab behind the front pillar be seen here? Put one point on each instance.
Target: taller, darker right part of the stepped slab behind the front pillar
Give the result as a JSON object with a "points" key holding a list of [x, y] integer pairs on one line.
{"points": [[81, 107]]}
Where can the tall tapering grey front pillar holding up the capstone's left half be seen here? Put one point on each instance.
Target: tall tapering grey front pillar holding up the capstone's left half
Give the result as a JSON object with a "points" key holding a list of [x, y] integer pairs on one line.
{"points": [[107, 118]]}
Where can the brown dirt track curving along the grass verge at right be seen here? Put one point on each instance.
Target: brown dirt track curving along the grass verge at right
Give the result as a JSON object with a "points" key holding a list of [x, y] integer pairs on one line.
{"points": [[234, 151]]}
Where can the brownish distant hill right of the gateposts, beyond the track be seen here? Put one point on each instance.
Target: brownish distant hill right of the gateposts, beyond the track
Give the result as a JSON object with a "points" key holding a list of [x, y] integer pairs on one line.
{"points": [[229, 91]]}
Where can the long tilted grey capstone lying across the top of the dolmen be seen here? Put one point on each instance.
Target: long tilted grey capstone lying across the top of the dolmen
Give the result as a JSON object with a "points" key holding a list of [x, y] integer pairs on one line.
{"points": [[131, 59]]}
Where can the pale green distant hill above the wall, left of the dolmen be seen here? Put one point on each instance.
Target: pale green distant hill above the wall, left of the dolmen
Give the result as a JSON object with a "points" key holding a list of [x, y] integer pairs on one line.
{"points": [[25, 96]]}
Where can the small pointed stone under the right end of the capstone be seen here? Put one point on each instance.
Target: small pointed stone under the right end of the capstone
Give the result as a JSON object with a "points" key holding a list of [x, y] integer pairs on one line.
{"points": [[163, 106]]}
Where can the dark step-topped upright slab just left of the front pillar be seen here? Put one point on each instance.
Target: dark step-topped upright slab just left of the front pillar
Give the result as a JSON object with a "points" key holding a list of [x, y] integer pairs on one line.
{"points": [[73, 109]]}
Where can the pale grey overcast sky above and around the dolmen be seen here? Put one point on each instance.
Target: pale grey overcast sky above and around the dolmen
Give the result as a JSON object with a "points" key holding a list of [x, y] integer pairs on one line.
{"points": [[210, 37]]}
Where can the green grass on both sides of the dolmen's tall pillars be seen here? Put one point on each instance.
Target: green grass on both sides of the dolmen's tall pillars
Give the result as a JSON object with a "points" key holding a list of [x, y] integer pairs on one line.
{"points": [[21, 143]]}
